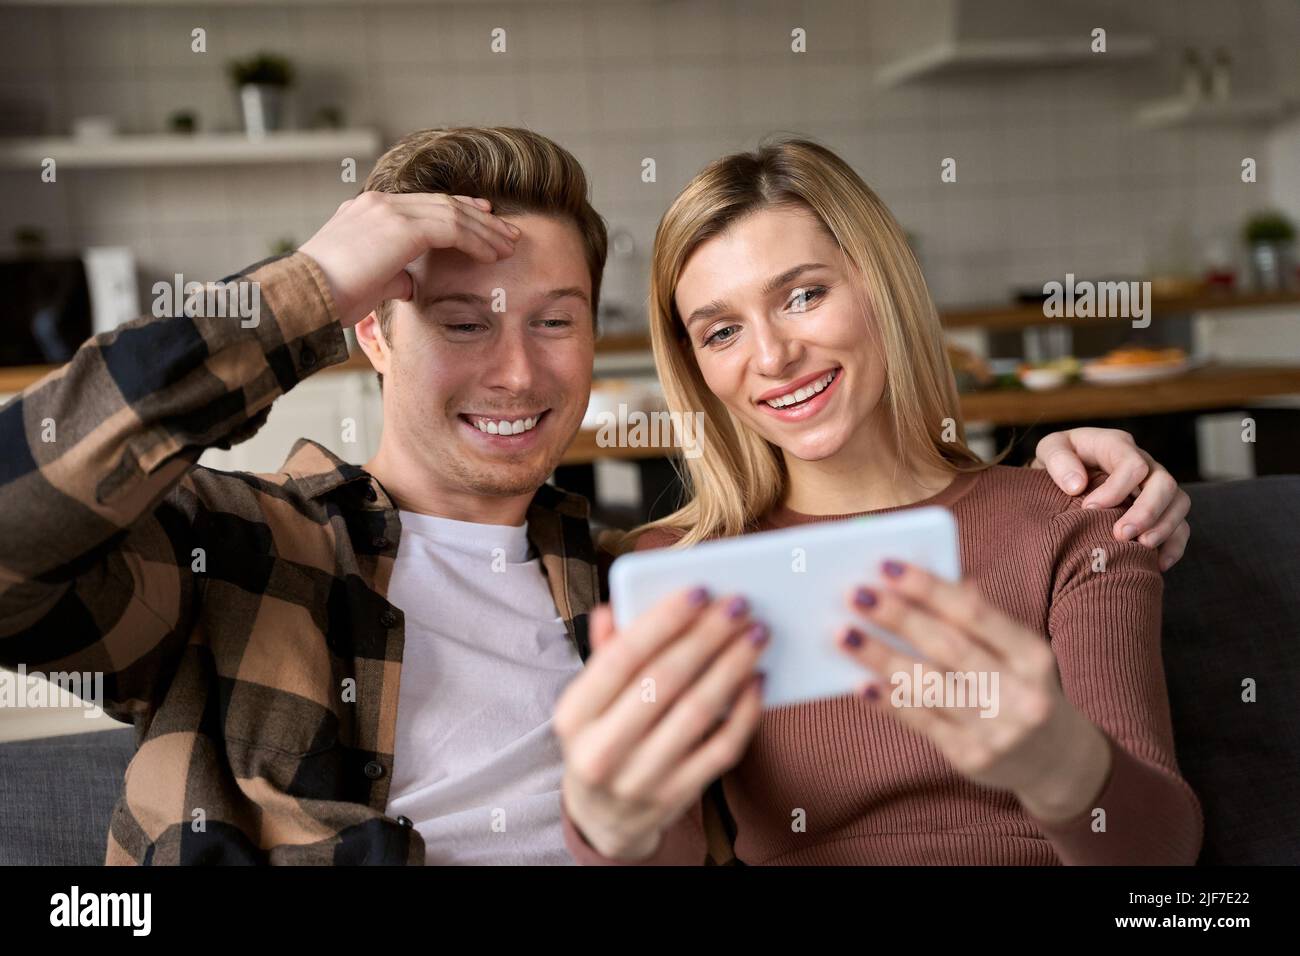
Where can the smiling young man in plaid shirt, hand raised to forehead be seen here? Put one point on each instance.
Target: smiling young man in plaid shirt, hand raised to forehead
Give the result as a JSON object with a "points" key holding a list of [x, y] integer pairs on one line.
{"points": [[257, 629]]}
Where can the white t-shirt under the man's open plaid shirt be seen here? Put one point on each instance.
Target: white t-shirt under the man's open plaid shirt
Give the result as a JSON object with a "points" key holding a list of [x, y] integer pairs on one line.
{"points": [[478, 767]]}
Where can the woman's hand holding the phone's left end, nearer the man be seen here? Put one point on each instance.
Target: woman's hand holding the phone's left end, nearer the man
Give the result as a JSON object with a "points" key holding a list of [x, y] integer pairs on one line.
{"points": [[661, 711]]}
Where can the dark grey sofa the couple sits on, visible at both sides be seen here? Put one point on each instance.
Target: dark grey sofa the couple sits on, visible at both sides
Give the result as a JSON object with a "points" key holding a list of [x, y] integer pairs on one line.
{"points": [[1232, 612]]}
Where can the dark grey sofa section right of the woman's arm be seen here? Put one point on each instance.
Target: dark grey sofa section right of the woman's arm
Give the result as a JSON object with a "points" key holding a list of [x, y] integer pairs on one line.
{"points": [[1233, 613]]}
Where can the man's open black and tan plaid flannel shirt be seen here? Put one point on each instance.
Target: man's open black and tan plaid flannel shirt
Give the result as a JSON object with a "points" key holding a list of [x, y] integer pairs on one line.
{"points": [[240, 621]]}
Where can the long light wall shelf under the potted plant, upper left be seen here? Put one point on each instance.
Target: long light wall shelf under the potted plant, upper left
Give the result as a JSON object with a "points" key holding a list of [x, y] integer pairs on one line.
{"points": [[181, 150]]}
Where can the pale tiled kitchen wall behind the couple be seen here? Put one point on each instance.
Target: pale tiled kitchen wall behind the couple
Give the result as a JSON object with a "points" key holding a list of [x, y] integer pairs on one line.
{"points": [[1052, 175]]}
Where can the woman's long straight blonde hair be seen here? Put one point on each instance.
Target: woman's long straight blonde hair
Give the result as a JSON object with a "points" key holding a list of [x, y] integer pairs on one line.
{"points": [[739, 475]]}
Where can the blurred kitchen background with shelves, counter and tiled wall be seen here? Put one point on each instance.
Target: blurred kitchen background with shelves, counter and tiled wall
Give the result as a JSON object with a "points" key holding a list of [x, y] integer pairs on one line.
{"points": [[1119, 165]]}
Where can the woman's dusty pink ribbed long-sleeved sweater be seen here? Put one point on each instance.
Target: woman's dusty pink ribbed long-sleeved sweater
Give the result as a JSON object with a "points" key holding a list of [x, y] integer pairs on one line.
{"points": [[876, 793]]}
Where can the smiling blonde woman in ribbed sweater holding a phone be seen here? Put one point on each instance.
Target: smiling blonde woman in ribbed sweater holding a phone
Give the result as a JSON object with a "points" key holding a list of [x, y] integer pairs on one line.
{"points": [[787, 305]]}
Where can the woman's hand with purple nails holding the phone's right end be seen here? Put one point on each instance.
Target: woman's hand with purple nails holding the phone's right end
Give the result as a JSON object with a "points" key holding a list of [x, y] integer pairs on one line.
{"points": [[1037, 745]]}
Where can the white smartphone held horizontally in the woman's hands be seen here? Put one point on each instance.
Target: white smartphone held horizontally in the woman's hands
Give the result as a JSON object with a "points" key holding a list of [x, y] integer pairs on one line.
{"points": [[799, 582]]}
